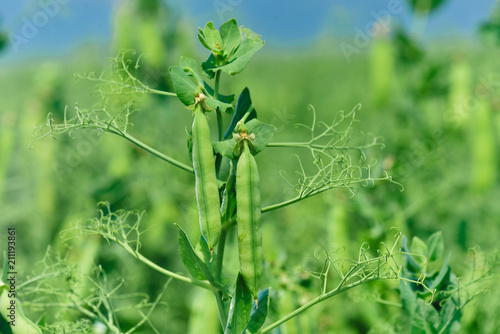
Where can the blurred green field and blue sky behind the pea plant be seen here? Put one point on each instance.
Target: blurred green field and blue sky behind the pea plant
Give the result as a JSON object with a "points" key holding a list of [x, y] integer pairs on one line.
{"points": [[431, 91]]}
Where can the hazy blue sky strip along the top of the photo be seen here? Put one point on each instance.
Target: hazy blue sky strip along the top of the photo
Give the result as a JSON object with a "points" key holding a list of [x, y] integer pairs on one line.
{"points": [[281, 23]]}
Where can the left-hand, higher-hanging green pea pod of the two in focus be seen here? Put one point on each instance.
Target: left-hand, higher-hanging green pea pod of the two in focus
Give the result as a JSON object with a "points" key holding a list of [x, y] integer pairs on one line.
{"points": [[207, 192]]}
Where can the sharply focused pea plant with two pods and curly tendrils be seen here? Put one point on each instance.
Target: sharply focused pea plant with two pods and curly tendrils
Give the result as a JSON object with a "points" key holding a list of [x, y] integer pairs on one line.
{"points": [[228, 196]]}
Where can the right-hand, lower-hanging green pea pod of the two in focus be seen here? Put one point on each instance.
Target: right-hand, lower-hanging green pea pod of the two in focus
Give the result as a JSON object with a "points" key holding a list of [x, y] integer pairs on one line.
{"points": [[248, 219]]}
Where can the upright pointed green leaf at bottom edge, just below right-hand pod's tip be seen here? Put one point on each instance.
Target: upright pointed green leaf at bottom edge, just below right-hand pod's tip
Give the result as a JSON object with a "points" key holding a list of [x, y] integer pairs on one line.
{"points": [[240, 308]]}
